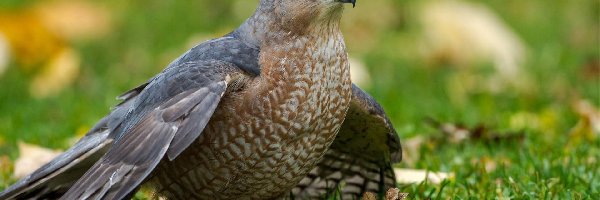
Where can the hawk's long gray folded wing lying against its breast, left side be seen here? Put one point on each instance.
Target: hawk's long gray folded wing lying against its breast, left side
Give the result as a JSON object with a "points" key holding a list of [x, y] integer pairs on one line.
{"points": [[167, 126]]}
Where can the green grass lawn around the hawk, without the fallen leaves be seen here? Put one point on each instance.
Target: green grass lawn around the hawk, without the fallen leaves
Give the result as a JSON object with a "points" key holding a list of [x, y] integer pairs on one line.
{"points": [[545, 160]]}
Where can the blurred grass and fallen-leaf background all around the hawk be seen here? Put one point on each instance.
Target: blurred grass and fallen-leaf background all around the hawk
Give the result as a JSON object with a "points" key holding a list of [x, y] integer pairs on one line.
{"points": [[498, 97]]}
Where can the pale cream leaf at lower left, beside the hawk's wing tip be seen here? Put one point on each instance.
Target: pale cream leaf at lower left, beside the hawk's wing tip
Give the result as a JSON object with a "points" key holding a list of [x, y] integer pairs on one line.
{"points": [[31, 158]]}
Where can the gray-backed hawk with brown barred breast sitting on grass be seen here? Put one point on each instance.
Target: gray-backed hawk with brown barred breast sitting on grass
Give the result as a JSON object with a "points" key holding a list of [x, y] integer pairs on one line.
{"points": [[267, 111]]}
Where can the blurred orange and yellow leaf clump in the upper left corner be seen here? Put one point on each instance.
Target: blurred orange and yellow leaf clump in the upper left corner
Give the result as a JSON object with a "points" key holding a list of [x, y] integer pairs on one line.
{"points": [[38, 40]]}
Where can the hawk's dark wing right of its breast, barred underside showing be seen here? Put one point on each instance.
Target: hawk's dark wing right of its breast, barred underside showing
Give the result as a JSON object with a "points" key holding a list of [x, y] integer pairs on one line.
{"points": [[360, 158]]}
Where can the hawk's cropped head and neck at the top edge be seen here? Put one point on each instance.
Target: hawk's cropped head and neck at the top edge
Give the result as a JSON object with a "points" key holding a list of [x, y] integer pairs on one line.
{"points": [[280, 19]]}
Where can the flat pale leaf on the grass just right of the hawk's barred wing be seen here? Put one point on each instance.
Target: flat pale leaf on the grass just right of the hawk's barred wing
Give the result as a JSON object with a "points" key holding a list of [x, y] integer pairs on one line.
{"points": [[417, 176]]}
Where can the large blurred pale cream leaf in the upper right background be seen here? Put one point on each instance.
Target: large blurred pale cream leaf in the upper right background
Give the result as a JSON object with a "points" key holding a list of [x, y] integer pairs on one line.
{"points": [[450, 25]]}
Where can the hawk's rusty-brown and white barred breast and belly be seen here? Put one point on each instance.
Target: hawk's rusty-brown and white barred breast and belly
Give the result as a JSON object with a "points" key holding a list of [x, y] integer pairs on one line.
{"points": [[269, 131]]}
